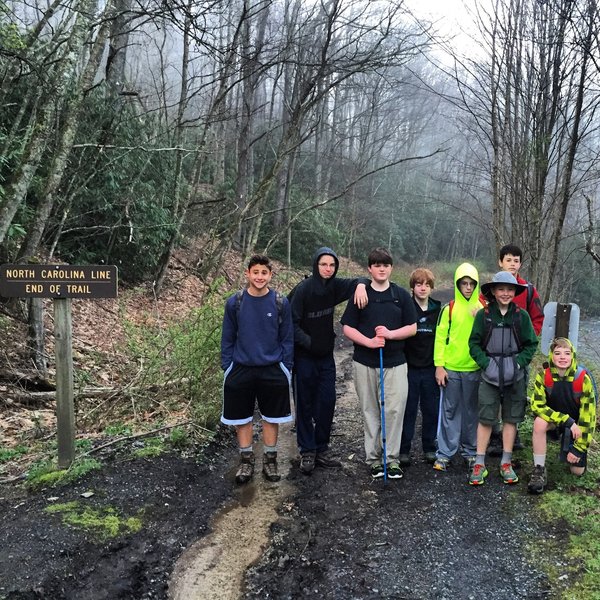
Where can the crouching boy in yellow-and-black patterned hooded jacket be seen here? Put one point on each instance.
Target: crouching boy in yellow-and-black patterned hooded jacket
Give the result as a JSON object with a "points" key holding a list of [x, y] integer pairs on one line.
{"points": [[563, 399]]}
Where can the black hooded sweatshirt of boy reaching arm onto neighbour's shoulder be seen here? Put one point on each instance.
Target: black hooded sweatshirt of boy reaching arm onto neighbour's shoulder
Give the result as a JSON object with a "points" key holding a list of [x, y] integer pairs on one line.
{"points": [[313, 303]]}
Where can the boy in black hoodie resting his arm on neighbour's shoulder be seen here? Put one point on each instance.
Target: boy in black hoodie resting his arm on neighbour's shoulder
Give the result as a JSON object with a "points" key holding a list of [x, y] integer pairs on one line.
{"points": [[313, 303]]}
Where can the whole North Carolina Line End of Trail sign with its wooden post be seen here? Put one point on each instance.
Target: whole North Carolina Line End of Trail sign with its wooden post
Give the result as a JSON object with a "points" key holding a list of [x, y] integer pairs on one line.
{"points": [[62, 283]]}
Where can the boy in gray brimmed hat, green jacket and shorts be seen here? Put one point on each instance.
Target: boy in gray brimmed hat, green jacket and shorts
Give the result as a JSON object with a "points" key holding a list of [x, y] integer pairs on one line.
{"points": [[502, 343]]}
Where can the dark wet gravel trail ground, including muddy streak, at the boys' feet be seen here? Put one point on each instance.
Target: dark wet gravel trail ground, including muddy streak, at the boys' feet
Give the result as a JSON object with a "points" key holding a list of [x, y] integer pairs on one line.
{"points": [[334, 535]]}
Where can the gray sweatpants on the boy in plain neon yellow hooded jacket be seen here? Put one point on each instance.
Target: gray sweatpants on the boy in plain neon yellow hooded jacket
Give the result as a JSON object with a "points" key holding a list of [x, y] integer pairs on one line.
{"points": [[457, 429]]}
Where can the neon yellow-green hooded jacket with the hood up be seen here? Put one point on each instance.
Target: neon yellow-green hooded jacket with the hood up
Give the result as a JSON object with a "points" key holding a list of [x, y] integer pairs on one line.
{"points": [[451, 349]]}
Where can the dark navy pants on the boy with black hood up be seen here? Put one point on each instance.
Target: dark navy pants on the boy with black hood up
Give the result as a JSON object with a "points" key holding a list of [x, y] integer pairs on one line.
{"points": [[314, 395]]}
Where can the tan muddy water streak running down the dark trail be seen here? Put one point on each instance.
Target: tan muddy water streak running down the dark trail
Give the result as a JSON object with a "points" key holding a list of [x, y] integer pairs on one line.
{"points": [[214, 566]]}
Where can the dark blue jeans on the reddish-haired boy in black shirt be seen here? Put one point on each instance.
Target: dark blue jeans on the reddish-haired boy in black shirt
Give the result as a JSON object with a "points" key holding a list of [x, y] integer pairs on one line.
{"points": [[423, 390]]}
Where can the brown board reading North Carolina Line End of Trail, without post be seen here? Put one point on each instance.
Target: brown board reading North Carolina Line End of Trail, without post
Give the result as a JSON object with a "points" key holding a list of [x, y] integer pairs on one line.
{"points": [[58, 281]]}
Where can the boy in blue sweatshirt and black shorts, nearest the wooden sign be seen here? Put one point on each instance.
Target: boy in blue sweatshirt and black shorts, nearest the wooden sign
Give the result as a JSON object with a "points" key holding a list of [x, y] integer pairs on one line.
{"points": [[257, 349]]}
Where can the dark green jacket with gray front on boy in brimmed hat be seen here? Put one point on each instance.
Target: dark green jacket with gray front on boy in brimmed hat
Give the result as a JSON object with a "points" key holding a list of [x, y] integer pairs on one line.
{"points": [[500, 351]]}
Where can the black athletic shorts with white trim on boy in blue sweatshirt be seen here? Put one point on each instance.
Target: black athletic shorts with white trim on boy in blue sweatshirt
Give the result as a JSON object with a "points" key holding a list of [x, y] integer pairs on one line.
{"points": [[268, 386]]}
